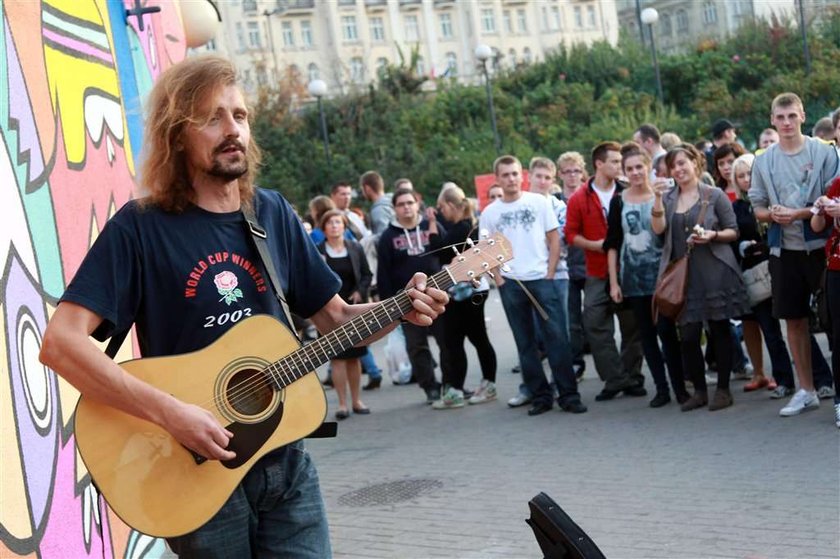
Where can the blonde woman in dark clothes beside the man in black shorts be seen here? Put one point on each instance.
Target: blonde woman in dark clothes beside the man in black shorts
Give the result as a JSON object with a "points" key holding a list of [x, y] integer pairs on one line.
{"points": [[752, 252]]}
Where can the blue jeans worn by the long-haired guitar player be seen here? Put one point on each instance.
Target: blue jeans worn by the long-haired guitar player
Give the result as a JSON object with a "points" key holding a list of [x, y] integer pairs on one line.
{"points": [[276, 511]]}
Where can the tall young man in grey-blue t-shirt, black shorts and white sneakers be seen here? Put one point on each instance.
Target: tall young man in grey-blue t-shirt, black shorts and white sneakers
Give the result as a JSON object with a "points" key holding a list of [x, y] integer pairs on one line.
{"points": [[786, 180]]}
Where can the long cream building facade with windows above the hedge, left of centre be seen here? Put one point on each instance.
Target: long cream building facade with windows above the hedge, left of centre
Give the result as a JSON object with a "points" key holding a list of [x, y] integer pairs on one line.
{"points": [[346, 42]]}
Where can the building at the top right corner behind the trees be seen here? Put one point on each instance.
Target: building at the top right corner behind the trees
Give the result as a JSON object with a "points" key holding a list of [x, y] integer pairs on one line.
{"points": [[683, 24]]}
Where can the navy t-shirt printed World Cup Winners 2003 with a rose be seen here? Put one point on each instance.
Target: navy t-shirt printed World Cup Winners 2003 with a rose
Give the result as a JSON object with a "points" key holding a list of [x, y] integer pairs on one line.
{"points": [[185, 279]]}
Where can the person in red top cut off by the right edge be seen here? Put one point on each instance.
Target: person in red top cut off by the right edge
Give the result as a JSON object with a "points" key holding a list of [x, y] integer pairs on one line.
{"points": [[828, 214]]}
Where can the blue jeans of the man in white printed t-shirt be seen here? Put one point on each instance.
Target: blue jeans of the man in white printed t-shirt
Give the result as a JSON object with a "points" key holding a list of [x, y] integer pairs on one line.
{"points": [[552, 296]]}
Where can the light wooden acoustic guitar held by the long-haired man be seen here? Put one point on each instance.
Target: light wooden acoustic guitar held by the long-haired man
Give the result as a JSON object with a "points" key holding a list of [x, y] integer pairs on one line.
{"points": [[257, 381]]}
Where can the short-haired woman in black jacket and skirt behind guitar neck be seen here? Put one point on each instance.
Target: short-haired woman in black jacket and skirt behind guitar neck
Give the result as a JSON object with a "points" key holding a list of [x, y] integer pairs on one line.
{"points": [[347, 259]]}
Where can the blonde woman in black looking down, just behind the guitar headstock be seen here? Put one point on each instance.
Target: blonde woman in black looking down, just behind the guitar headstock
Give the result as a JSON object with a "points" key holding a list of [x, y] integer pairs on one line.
{"points": [[465, 311]]}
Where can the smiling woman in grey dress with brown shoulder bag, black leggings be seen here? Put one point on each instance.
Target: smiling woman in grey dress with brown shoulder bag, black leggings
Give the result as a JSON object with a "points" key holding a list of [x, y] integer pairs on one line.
{"points": [[697, 225]]}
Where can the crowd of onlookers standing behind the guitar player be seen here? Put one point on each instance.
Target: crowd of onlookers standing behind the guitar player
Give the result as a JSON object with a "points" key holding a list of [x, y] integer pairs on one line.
{"points": [[591, 249]]}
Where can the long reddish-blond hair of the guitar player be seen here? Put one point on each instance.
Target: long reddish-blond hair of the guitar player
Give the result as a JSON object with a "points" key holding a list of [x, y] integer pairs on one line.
{"points": [[174, 103]]}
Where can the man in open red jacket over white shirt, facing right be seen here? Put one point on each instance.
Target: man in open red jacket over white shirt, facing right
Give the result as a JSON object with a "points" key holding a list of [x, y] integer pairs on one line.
{"points": [[586, 227]]}
